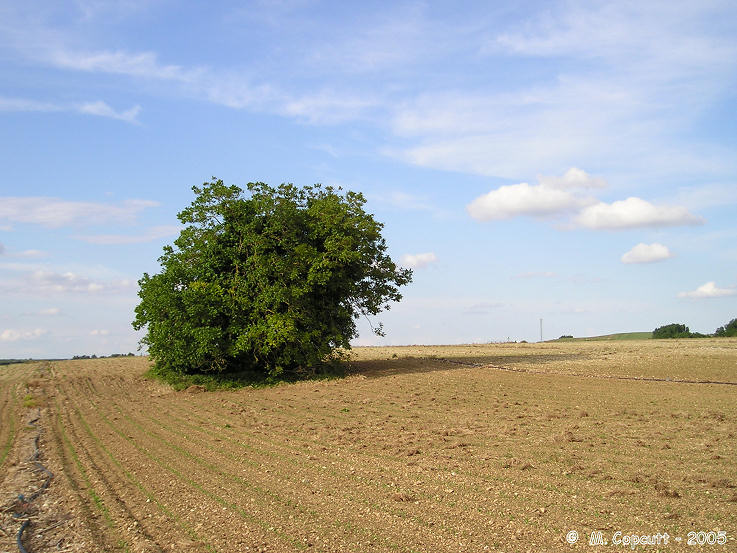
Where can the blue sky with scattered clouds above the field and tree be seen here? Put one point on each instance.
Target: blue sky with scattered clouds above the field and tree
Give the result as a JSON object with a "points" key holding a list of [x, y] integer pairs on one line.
{"points": [[566, 161]]}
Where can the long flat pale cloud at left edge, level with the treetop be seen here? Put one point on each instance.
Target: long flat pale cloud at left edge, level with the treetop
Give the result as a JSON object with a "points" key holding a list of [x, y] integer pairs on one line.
{"points": [[55, 212]]}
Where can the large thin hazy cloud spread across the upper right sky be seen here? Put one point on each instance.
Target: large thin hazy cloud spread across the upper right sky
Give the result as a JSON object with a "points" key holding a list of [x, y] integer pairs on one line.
{"points": [[635, 76]]}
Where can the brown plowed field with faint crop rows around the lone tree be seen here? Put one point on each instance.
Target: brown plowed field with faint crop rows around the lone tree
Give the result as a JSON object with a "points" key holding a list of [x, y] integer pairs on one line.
{"points": [[422, 449]]}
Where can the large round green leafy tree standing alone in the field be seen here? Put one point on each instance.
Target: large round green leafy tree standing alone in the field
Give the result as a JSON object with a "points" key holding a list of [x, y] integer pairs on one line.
{"points": [[271, 282]]}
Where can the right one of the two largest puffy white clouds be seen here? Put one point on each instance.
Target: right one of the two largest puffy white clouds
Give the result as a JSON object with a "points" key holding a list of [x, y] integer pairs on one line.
{"points": [[634, 213]]}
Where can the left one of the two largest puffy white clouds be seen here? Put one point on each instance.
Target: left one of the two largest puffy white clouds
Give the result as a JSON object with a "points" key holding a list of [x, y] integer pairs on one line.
{"points": [[524, 199]]}
